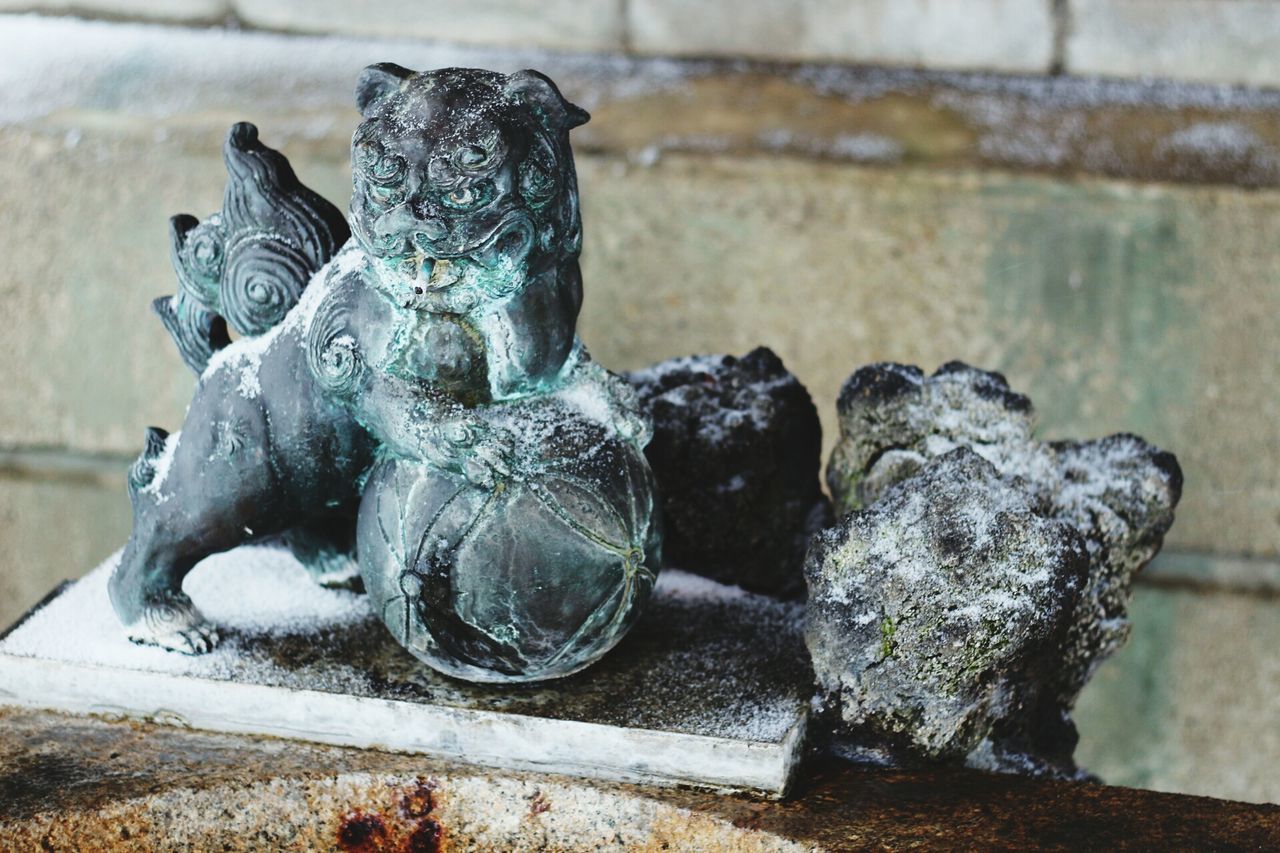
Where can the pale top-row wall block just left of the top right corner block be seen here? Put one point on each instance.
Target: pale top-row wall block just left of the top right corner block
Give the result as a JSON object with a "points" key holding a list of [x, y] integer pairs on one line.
{"points": [[1002, 35]]}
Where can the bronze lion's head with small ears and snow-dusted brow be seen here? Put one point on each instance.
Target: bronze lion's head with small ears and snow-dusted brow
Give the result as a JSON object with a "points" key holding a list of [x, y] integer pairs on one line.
{"points": [[464, 184]]}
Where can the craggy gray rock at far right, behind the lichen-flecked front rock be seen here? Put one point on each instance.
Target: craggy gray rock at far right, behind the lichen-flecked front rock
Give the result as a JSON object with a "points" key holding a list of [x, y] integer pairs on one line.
{"points": [[1119, 492]]}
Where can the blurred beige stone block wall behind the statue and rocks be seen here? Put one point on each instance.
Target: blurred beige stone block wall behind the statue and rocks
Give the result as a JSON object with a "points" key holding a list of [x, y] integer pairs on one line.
{"points": [[1112, 245]]}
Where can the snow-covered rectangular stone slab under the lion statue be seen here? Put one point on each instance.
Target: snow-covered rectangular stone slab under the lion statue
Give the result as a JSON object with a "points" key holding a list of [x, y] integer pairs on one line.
{"points": [[711, 690]]}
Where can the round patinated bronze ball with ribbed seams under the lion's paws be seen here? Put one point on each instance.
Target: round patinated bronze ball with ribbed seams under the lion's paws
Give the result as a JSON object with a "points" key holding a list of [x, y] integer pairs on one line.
{"points": [[534, 578]]}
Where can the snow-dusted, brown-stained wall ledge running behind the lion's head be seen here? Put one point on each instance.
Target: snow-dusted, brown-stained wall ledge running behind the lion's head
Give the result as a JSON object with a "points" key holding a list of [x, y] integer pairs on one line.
{"points": [[70, 71]]}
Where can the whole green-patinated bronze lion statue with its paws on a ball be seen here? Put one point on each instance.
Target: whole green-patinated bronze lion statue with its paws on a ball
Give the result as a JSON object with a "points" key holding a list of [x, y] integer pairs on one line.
{"points": [[422, 410]]}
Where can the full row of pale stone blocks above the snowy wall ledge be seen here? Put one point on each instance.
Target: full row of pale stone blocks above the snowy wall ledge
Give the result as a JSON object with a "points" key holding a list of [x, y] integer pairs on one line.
{"points": [[1217, 42]]}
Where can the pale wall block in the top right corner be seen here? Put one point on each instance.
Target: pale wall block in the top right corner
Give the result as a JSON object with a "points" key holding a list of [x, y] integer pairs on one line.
{"points": [[1201, 40]]}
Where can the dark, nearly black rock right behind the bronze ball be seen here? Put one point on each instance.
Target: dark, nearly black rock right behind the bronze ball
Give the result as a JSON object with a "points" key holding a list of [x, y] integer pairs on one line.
{"points": [[737, 450]]}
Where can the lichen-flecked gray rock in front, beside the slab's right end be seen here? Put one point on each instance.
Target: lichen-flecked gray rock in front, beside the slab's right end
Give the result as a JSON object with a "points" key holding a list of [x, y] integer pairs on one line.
{"points": [[935, 614]]}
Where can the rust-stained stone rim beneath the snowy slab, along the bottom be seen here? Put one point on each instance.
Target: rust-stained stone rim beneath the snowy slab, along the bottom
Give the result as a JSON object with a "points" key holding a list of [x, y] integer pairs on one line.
{"points": [[97, 786]]}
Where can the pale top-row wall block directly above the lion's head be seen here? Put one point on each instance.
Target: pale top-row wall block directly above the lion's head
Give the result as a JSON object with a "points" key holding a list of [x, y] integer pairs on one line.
{"points": [[574, 25]]}
